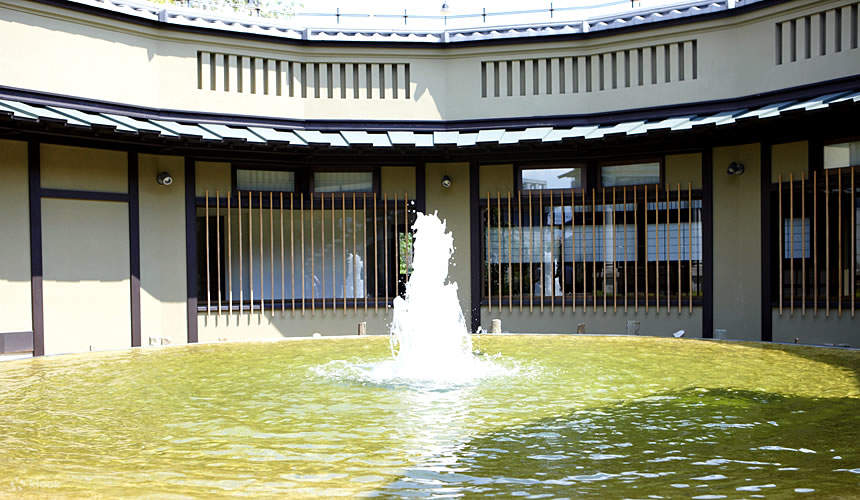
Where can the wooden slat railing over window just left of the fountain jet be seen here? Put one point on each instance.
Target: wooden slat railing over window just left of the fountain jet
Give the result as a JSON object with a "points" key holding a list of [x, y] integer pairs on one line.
{"points": [[302, 252]]}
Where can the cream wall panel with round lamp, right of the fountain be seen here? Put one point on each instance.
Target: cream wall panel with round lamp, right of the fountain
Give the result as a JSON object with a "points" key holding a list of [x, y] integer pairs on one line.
{"points": [[737, 243]]}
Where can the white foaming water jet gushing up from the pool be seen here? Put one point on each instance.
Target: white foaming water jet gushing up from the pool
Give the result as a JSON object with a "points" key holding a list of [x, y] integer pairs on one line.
{"points": [[430, 343]]}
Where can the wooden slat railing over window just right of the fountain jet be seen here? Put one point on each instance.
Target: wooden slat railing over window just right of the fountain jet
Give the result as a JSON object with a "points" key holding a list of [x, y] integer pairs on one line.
{"points": [[620, 247]]}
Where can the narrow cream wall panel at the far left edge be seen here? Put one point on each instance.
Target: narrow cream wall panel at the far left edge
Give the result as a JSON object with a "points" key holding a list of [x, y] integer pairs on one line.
{"points": [[15, 247]]}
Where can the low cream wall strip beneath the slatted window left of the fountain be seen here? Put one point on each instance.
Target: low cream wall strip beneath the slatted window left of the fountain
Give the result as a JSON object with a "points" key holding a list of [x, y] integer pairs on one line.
{"points": [[211, 328]]}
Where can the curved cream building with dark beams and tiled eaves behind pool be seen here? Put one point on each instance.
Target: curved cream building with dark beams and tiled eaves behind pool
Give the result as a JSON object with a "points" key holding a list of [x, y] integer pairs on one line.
{"points": [[171, 176]]}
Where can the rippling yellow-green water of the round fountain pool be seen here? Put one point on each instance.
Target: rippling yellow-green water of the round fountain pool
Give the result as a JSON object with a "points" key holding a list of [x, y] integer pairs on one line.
{"points": [[578, 416]]}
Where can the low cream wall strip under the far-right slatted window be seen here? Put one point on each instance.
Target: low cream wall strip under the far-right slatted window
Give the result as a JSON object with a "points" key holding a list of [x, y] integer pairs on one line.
{"points": [[816, 329]]}
